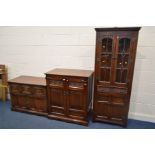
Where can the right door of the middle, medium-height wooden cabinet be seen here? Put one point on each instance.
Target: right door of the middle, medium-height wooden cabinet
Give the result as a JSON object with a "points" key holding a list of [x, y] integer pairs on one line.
{"points": [[77, 99]]}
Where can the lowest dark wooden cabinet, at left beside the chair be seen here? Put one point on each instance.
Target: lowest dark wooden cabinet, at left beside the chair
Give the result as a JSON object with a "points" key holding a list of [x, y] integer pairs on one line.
{"points": [[28, 94]]}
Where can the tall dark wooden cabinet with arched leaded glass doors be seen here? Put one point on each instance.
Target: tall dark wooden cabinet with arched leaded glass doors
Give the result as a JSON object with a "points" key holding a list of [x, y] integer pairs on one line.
{"points": [[114, 66]]}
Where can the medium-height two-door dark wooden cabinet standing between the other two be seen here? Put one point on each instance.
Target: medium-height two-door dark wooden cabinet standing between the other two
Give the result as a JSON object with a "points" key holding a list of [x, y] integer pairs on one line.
{"points": [[69, 95]]}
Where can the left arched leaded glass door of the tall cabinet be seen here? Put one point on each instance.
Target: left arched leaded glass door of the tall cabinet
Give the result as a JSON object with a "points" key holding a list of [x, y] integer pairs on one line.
{"points": [[104, 59]]}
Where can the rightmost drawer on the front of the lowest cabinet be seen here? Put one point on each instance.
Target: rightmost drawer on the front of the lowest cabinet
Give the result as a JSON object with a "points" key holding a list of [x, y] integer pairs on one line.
{"points": [[39, 92]]}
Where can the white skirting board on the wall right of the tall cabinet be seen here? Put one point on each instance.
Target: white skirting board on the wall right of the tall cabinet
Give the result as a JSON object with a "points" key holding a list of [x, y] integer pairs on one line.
{"points": [[142, 117]]}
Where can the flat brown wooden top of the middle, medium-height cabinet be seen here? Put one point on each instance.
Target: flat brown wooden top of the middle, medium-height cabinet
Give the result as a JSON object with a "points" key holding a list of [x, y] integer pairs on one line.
{"points": [[71, 72]]}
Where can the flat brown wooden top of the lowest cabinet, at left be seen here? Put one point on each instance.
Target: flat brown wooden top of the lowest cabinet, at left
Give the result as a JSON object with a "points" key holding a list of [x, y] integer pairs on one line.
{"points": [[31, 80]]}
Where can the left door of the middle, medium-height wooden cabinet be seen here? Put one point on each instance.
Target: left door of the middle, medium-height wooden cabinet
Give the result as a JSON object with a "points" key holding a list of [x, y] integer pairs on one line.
{"points": [[57, 98]]}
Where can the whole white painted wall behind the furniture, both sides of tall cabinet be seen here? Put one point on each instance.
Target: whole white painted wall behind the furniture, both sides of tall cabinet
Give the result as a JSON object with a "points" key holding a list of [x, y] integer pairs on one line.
{"points": [[35, 50]]}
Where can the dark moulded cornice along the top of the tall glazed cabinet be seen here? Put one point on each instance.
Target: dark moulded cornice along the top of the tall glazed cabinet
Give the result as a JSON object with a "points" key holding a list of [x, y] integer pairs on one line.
{"points": [[118, 29]]}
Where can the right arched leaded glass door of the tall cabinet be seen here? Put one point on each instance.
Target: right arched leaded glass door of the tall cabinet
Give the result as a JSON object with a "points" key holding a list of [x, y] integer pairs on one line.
{"points": [[124, 60]]}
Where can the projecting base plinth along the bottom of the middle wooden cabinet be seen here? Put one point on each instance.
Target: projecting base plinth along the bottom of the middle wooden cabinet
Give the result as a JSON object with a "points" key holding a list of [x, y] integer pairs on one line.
{"points": [[68, 119]]}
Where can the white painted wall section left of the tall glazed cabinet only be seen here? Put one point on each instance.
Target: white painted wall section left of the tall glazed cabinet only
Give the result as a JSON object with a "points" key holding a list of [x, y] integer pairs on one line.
{"points": [[35, 50]]}
